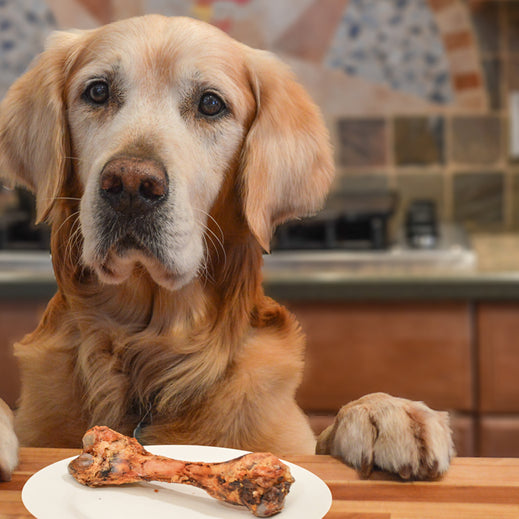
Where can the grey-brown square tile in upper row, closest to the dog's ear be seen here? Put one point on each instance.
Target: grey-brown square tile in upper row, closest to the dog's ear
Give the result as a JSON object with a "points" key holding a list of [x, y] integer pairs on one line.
{"points": [[362, 142]]}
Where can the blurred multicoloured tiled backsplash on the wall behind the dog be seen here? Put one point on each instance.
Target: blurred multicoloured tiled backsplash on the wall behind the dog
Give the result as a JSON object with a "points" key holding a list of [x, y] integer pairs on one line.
{"points": [[415, 92]]}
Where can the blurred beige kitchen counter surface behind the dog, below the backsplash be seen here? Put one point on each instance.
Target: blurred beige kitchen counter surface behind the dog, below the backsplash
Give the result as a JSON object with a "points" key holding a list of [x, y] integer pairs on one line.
{"points": [[495, 277]]}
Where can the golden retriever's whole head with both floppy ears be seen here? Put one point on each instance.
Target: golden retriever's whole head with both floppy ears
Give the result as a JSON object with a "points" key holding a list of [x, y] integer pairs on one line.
{"points": [[147, 121]]}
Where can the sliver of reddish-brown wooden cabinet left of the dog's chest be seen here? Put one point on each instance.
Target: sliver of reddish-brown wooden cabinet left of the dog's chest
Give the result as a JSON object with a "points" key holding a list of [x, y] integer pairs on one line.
{"points": [[16, 319]]}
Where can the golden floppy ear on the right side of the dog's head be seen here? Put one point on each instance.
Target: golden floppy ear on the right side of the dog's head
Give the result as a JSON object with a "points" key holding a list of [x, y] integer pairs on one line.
{"points": [[287, 164]]}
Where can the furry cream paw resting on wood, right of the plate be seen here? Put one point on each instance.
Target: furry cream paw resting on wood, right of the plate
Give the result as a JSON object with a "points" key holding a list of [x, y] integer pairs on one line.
{"points": [[393, 434]]}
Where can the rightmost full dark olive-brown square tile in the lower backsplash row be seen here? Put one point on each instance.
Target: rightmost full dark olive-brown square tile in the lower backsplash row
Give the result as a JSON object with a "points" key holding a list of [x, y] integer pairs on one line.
{"points": [[479, 199]]}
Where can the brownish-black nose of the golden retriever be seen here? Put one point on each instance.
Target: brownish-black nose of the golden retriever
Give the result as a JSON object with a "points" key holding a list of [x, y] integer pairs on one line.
{"points": [[133, 185]]}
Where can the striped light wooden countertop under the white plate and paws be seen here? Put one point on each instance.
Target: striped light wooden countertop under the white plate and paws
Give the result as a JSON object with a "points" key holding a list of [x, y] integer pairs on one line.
{"points": [[474, 488]]}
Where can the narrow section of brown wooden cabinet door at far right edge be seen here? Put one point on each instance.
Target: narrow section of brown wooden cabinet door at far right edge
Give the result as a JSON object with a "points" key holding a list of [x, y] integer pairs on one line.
{"points": [[498, 333]]}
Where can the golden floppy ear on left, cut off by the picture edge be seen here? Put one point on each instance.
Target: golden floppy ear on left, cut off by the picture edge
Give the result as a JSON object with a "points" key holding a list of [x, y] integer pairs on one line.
{"points": [[33, 129]]}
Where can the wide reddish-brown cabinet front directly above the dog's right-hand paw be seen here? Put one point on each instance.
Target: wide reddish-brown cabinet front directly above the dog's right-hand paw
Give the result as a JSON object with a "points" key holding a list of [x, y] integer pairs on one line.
{"points": [[414, 350]]}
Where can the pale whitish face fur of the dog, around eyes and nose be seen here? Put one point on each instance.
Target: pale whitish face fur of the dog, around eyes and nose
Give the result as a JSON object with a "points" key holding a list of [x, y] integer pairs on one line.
{"points": [[154, 111]]}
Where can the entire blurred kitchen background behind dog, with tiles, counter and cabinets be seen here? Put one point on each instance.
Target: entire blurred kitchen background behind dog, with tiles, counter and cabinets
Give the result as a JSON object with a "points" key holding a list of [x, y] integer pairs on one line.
{"points": [[408, 280]]}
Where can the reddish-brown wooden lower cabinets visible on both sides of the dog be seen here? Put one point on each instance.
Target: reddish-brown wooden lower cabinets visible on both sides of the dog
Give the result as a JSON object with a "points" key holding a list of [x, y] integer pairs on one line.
{"points": [[456, 356]]}
